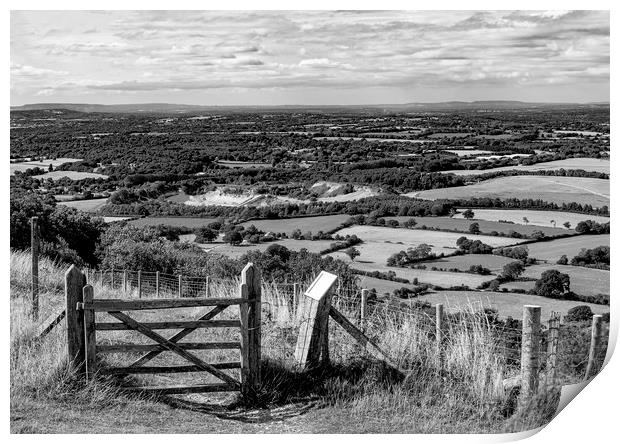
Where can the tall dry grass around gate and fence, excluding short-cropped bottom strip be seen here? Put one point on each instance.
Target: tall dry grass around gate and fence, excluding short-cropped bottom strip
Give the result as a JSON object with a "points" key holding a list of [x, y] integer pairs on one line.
{"points": [[458, 389]]}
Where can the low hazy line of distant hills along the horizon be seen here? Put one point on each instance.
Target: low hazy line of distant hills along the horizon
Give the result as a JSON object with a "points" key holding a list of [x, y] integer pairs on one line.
{"points": [[412, 107]]}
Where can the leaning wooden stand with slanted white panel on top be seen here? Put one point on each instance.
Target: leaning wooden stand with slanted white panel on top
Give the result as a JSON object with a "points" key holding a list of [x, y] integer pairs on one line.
{"points": [[312, 340]]}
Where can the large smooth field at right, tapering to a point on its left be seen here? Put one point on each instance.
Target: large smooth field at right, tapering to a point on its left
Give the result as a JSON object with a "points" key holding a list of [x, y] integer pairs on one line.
{"points": [[553, 189]]}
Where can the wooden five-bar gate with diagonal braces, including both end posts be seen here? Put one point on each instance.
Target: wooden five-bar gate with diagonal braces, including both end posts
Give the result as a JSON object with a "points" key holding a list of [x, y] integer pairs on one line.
{"points": [[82, 327]]}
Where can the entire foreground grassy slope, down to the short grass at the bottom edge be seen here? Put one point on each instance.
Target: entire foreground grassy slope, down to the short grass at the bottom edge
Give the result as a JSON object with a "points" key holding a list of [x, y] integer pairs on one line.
{"points": [[353, 395]]}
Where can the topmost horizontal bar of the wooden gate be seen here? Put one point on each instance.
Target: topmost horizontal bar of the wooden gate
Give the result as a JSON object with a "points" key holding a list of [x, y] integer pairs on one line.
{"points": [[158, 304]]}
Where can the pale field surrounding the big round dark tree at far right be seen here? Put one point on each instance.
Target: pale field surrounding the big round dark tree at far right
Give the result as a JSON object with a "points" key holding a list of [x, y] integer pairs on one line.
{"points": [[584, 281]]}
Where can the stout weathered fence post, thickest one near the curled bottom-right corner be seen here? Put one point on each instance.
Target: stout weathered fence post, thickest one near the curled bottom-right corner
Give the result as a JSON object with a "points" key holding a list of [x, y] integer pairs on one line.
{"points": [[530, 351]]}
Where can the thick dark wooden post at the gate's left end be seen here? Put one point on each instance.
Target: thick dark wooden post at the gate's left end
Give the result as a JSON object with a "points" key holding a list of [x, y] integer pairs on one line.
{"points": [[74, 283]]}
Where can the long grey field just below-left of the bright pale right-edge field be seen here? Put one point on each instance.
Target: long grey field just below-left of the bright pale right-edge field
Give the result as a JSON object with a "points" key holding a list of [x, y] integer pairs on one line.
{"points": [[486, 226]]}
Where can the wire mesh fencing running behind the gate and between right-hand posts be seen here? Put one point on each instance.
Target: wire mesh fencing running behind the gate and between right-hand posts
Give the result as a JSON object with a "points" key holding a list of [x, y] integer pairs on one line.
{"points": [[405, 332]]}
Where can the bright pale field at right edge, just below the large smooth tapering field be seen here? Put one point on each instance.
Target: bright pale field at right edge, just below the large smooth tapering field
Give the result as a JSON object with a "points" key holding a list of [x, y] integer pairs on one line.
{"points": [[536, 218]]}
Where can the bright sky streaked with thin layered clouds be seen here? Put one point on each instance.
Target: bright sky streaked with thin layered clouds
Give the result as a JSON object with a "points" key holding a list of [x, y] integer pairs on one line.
{"points": [[308, 57]]}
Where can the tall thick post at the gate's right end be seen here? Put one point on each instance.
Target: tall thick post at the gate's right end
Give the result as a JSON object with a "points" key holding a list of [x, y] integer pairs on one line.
{"points": [[250, 318]]}
